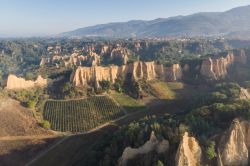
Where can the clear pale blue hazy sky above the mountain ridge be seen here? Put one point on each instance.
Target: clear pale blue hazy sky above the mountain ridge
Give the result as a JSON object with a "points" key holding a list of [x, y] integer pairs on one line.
{"points": [[44, 17]]}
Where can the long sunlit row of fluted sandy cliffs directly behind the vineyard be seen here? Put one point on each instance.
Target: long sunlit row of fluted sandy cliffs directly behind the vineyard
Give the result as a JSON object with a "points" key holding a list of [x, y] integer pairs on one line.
{"points": [[138, 70]]}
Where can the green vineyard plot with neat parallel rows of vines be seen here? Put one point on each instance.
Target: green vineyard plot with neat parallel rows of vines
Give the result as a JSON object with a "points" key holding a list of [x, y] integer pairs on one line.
{"points": [[81, 115]]}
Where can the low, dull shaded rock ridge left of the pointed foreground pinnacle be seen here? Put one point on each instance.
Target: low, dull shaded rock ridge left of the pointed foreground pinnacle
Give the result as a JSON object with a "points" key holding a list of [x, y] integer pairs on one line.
{"points": [[152, 145]]}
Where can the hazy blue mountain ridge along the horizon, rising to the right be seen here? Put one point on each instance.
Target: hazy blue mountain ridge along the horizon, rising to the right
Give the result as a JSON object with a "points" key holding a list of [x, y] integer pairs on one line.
{"points": [[230, 22]]}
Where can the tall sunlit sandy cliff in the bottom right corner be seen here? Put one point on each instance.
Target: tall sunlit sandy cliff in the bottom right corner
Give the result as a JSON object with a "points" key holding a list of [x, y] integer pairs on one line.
{"points": [[233, 147]]}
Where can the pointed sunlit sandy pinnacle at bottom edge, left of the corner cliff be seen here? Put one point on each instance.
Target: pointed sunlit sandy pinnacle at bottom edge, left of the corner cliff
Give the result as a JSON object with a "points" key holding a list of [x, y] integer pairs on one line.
{"points": [[189, 152]]}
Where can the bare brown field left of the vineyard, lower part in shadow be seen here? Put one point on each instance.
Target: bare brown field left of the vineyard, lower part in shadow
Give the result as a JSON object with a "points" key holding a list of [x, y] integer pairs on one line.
{"points": [[21, 138]]}
